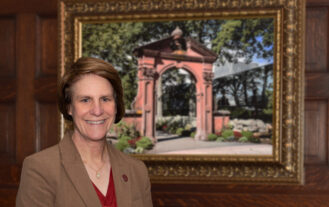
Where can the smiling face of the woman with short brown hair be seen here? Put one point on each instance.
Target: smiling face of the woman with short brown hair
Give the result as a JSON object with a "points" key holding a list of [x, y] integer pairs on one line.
{"points": [[93, 107]]}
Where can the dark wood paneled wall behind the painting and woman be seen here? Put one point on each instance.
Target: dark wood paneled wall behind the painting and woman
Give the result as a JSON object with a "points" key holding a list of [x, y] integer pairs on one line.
{"points": [[29, 117]]}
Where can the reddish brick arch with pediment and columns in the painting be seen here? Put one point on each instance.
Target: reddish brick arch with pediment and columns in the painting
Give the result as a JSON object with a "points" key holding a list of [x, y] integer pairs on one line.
{"points": [[157, 57]]}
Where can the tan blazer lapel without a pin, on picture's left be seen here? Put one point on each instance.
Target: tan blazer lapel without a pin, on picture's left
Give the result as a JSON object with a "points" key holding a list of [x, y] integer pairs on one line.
{"points": [[77, 173]]}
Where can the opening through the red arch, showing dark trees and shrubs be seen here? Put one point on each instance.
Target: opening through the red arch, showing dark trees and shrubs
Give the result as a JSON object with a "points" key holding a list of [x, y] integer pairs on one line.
{"points": [[175, 104]]}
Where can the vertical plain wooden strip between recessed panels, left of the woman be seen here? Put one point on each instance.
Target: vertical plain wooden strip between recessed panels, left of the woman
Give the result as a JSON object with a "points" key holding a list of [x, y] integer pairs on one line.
{"points": [[25, 103]]}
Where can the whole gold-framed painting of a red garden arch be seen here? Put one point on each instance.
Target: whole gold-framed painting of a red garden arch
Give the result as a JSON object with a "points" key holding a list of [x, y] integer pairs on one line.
{"points": [[213, 89]]}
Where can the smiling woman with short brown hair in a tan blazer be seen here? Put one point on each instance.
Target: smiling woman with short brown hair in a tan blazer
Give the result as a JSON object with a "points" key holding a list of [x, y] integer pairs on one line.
{"points": [[83, 170]]}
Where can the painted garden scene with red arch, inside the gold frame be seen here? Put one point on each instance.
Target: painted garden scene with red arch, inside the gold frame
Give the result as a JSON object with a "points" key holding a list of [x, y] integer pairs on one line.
{"points": [[237, 56]]}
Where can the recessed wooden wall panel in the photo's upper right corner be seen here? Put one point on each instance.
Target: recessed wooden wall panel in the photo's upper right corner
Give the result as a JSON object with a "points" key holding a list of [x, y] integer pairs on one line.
{"points": [[316, 39]]}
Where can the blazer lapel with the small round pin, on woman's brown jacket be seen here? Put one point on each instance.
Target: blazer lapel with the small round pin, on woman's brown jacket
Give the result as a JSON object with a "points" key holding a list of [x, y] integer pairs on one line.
{"points": [[121, 177]]}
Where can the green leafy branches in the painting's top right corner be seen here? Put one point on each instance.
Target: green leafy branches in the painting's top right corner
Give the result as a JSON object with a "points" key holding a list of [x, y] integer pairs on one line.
{"points": [[247, 37]]}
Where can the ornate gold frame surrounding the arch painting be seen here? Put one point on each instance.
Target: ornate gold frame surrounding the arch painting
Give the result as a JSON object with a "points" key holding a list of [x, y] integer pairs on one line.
{"points": [[285, 165]]}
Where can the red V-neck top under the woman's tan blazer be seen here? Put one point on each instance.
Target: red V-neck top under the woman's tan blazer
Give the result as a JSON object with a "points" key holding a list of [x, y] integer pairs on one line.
{"points": [[109, 200]]}
